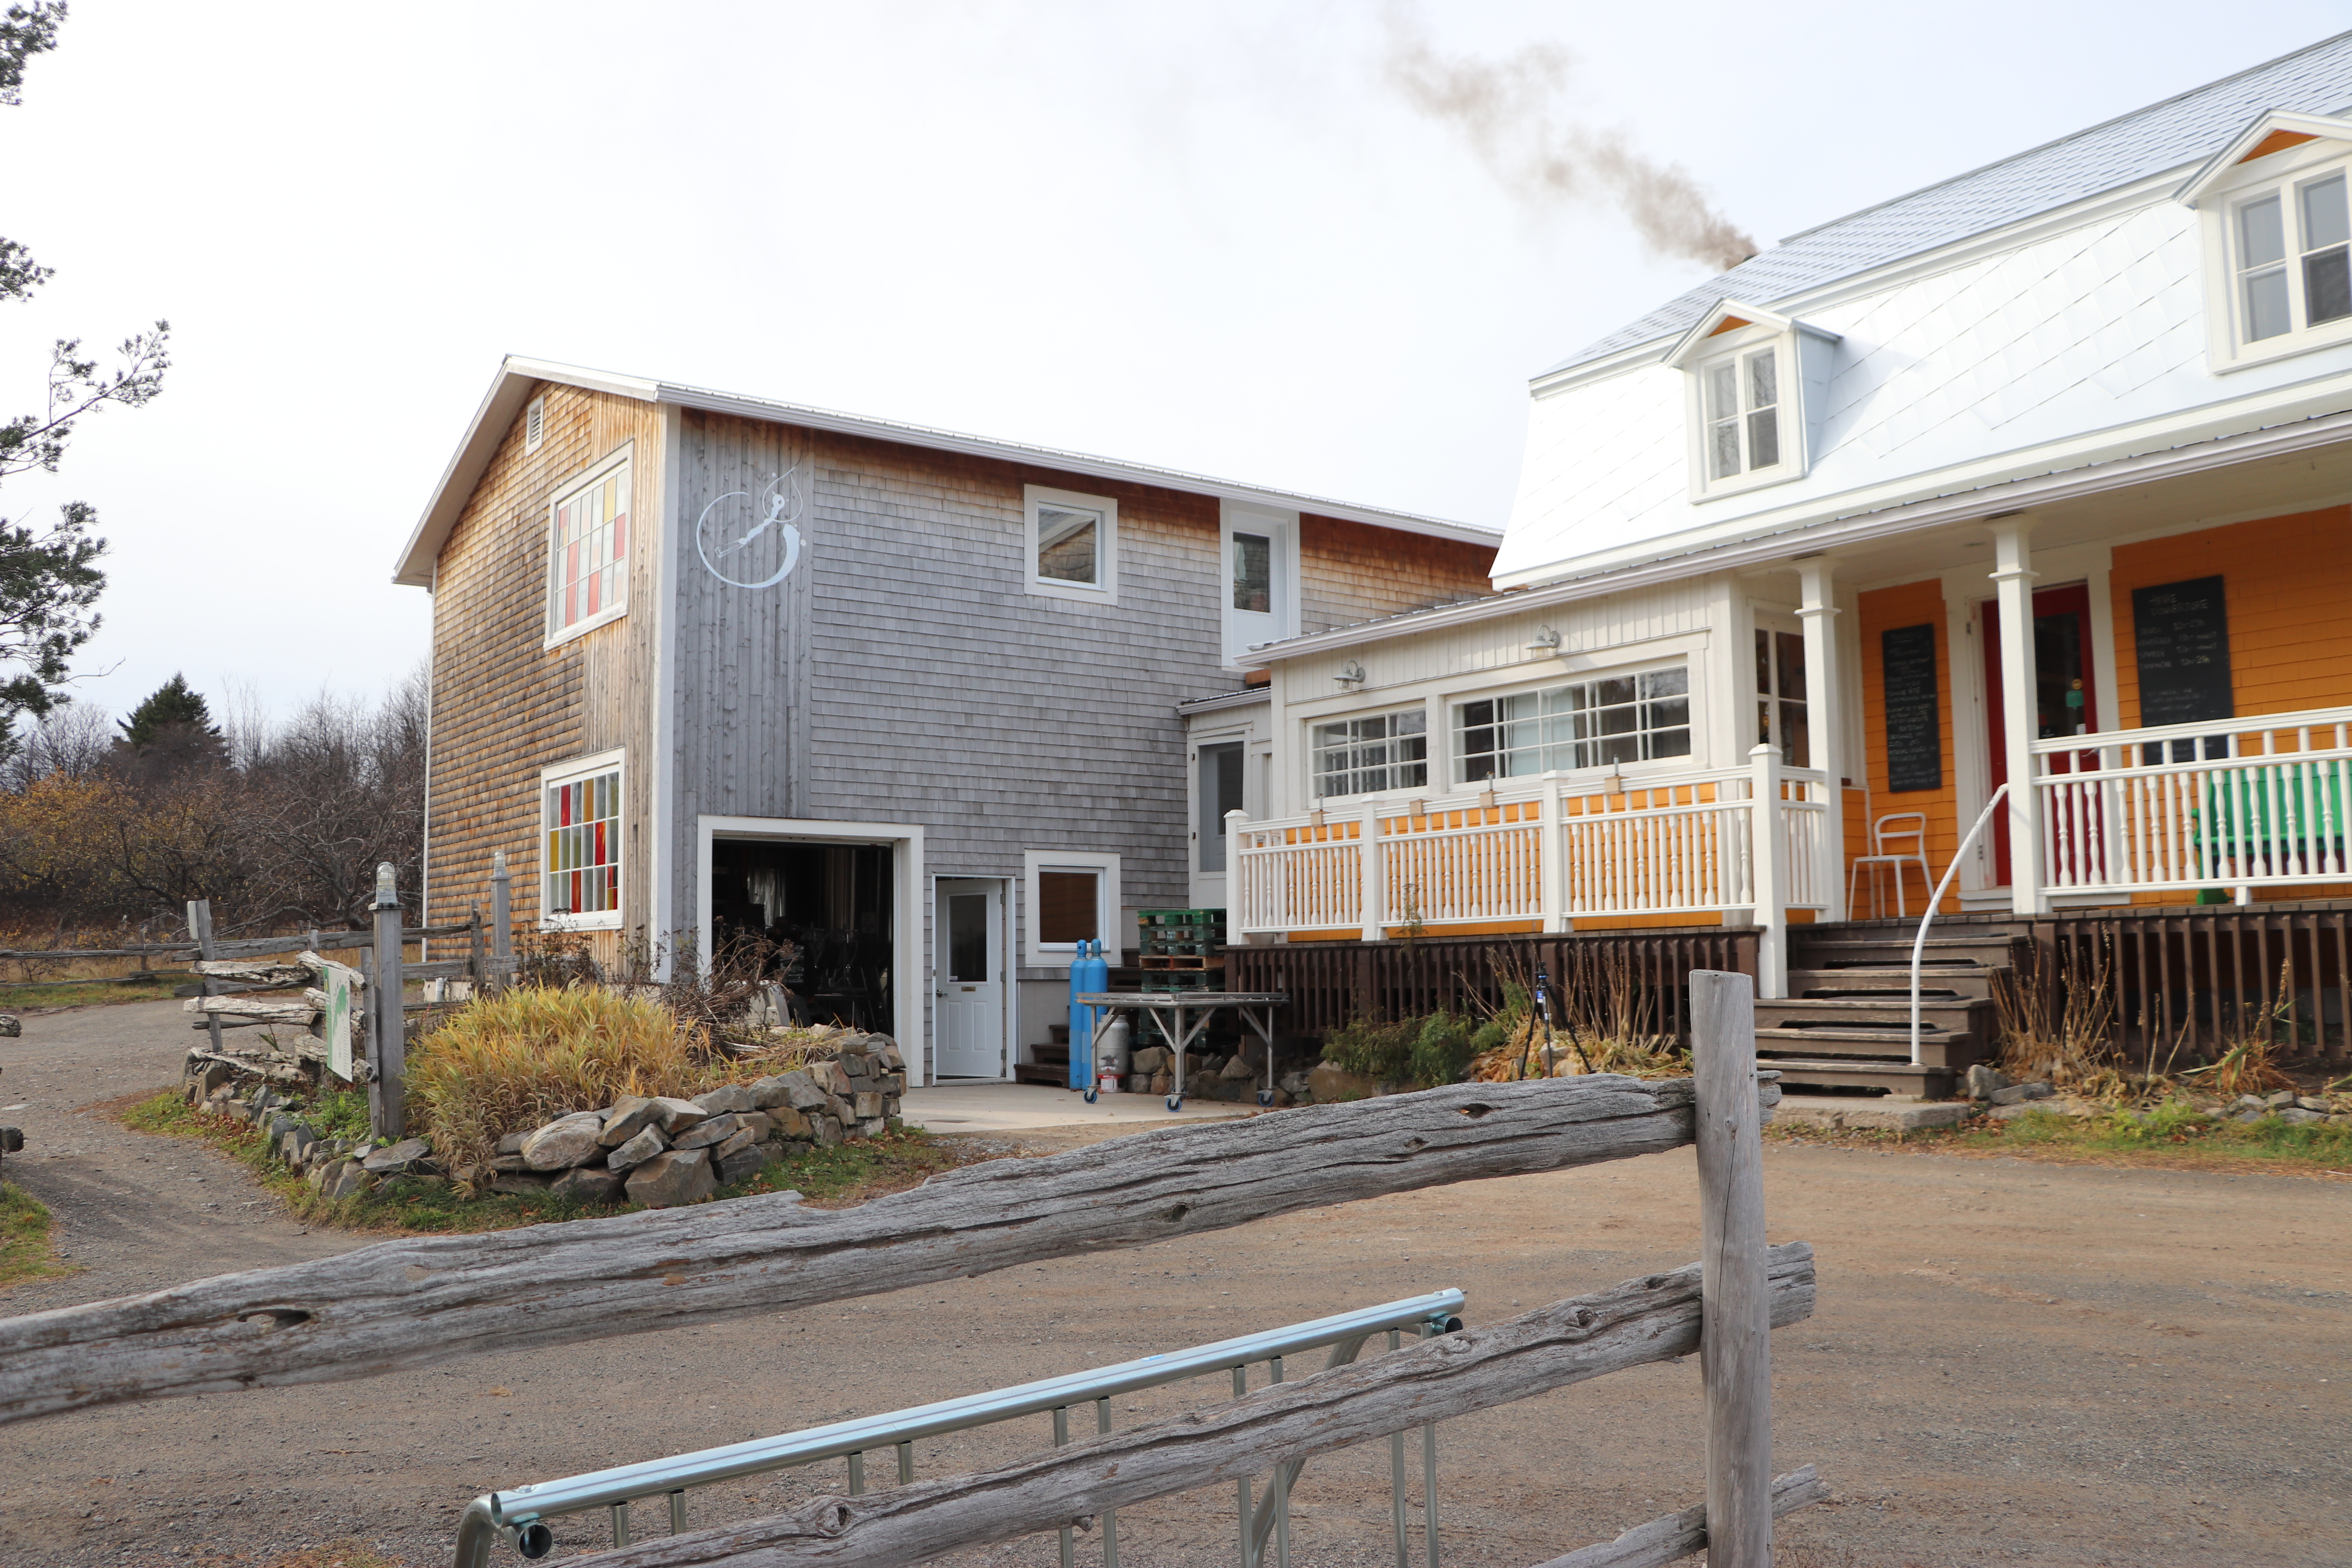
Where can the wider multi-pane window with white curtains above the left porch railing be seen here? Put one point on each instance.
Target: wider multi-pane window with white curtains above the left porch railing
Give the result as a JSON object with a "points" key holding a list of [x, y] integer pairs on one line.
{"points": [[1584, 725]]}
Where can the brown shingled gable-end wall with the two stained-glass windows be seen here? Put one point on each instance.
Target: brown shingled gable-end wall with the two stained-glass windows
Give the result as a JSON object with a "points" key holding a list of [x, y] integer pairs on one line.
{"points": [[505, 706]]}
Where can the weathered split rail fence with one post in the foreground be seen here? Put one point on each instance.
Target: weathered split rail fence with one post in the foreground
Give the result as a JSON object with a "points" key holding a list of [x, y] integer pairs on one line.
{"points": [[422, 1301]]}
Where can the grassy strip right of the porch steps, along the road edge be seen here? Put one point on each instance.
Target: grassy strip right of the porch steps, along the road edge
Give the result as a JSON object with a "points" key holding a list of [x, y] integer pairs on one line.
{"points": [[2170, 1137]]}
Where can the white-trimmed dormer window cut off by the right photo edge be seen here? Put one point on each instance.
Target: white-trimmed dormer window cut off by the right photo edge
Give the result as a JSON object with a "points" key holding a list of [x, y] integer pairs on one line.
{"points": [[2278, 227]]}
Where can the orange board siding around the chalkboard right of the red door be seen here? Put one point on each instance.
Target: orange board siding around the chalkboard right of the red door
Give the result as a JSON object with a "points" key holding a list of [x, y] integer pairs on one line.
{"points": [[2287, 584]]}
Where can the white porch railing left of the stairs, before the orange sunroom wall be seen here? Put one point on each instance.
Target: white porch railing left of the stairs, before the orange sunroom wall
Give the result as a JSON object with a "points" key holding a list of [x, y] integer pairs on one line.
{"points": [[1544, 852]]}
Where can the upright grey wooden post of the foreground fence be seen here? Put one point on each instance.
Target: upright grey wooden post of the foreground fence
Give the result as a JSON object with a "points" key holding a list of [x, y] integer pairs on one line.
{"points": [[1735, 1334]]}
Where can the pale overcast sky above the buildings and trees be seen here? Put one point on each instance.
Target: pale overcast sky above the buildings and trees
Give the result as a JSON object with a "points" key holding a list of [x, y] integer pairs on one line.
{"points": [[1210, 236]]}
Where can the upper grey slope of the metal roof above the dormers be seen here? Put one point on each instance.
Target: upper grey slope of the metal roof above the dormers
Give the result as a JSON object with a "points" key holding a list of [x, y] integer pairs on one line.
{"points": [[2059, 173]]}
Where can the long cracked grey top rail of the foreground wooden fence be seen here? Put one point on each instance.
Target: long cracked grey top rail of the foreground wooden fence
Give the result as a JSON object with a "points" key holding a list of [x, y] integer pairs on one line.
{"points": [[420, 1301]]}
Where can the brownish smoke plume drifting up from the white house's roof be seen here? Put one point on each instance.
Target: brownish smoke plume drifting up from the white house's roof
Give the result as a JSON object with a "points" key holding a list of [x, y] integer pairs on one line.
{"points": [[1509, 112]]}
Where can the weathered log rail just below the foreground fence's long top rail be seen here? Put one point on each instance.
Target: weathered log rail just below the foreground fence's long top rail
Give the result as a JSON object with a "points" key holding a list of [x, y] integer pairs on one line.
{"points": [[1638, 1322]]}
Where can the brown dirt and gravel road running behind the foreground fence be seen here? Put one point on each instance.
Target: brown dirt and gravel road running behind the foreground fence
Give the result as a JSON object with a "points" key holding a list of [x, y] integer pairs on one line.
{"points": [[2012, 1362]]}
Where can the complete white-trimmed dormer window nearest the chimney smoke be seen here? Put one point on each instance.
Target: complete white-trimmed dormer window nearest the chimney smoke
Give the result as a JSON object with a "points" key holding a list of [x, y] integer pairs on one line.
{"points": [[1749, 375]]}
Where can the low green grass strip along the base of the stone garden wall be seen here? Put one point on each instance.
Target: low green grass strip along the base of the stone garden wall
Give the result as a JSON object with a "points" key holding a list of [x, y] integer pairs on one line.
{"points": [[829, 1177]]}
